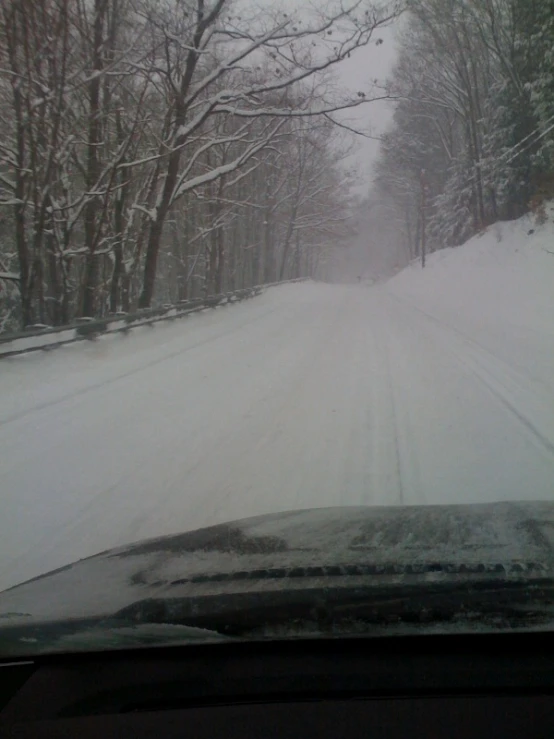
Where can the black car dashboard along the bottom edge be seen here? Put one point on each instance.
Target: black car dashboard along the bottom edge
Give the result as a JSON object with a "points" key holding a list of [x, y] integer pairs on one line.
{"points": [[476, 686]]}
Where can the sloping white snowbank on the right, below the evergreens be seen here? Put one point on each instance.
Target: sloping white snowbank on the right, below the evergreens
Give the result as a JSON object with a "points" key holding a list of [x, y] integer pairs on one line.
{"points": [[498, 288]]}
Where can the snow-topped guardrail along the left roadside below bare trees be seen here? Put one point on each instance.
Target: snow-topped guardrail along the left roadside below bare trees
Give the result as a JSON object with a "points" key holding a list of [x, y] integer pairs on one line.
{"points": [[37, 338]]}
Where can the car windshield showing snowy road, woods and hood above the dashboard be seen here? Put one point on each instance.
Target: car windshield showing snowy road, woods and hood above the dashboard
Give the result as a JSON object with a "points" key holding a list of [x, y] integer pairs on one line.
{"points": [[267, 258]]}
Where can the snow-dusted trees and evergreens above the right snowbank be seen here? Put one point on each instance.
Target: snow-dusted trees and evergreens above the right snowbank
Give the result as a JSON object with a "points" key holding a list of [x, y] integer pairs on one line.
{"points": [[472, 137]]}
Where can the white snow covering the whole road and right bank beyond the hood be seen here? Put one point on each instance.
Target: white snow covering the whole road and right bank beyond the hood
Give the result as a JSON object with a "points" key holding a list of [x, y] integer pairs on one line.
{"points": [[437, 386]]}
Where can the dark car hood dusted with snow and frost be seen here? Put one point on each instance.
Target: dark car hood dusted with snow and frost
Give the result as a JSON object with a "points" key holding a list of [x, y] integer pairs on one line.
{"points": [[286, 549]]}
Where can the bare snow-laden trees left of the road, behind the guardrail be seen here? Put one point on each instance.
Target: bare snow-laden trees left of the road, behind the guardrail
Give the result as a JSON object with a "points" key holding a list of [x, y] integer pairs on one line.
{"points": [[152, 151]]}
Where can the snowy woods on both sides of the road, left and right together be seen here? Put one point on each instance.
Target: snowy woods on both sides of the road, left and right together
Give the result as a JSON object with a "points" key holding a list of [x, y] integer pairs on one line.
{"points": [[154, 151]]}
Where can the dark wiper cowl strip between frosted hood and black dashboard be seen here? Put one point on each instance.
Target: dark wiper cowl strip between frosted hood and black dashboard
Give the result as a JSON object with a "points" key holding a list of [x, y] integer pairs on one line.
{"points": [[322, 611]]}
